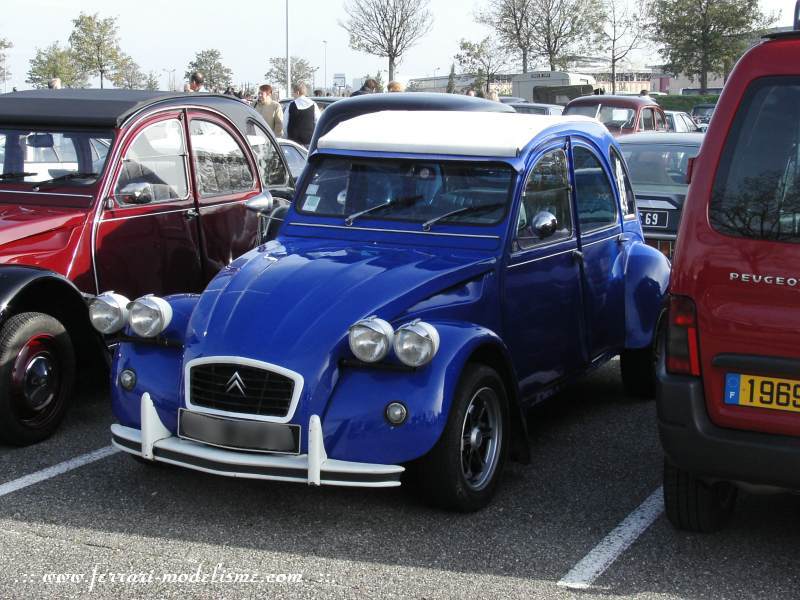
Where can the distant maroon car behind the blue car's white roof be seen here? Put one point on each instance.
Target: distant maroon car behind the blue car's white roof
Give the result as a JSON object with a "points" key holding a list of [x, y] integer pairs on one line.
{"points": [[620, 114]]}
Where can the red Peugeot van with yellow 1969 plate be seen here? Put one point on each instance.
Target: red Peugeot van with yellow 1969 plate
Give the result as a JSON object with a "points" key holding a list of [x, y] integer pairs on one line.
{"points": [[729, 368]]}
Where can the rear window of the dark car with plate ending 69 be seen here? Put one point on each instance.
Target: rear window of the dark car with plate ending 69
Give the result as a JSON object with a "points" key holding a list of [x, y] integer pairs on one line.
{"points": [[658, 164]]}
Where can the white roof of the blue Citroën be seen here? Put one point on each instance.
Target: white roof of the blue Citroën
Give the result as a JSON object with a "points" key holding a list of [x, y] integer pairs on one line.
{"points": [[445, 132]]}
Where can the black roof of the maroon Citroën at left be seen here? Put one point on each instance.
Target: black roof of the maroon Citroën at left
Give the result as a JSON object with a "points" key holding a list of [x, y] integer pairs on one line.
{"points": [[91, 108]]}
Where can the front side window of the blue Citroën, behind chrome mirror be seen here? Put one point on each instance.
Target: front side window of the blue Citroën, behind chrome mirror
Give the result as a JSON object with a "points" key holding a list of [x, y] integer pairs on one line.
{"points": [[546, 195]]}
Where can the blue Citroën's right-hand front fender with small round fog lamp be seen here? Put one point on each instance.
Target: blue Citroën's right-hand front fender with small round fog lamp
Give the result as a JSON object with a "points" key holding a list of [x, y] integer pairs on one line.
{"points": [[354, 426]]}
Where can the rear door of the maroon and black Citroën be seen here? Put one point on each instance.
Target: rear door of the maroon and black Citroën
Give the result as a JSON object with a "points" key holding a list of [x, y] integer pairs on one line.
{"points": [[225, 177]]}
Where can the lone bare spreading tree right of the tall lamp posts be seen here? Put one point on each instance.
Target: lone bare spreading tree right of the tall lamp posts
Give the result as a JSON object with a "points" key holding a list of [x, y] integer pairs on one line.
{"points": [[386, 28]]}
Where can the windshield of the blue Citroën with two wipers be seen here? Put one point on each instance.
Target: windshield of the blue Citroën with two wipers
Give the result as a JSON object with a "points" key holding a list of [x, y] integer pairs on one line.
{"points": [[408, 190]]}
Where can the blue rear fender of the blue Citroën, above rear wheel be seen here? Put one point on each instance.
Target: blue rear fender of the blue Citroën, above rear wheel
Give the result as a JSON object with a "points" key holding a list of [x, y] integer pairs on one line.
{"points": [[646, 283]]}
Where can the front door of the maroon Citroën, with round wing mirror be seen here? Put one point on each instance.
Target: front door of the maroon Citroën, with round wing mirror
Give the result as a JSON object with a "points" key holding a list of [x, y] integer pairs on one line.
{"points": [[147, 236]]}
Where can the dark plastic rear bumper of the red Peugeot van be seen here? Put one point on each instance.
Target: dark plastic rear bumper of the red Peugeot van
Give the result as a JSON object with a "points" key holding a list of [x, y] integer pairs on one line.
{"points": [[693, 443]]}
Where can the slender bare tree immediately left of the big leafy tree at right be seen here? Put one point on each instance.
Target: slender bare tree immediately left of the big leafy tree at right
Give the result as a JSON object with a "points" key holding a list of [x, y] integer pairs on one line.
{"points": [[624, 31]]}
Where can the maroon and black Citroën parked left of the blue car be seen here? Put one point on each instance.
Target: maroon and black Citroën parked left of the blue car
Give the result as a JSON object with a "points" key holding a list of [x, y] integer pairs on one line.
{"points": [[111, 189]]}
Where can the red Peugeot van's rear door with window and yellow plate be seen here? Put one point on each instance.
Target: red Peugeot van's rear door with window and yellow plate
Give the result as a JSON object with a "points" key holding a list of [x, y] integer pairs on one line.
{"points": [[747, 287]]}
